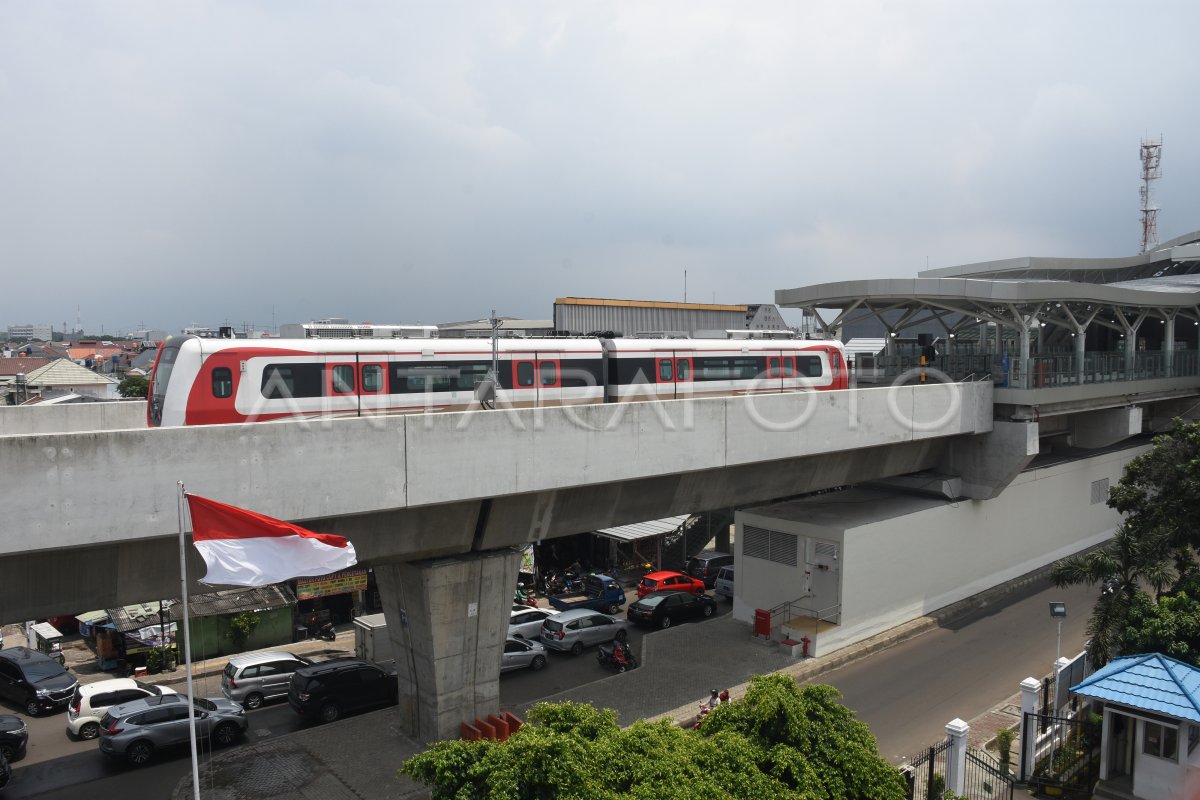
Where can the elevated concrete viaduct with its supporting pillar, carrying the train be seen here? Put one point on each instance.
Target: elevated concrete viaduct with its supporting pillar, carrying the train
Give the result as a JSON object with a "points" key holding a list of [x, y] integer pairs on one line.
{"points": [[435, 503]]}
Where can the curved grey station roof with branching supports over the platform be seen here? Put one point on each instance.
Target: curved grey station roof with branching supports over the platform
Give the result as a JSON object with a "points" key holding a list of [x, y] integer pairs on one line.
{"points": [[1019, 294]]}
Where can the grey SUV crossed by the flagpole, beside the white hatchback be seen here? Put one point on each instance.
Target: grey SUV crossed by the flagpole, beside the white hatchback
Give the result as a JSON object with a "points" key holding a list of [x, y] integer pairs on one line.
{"points": [[137, 731]]}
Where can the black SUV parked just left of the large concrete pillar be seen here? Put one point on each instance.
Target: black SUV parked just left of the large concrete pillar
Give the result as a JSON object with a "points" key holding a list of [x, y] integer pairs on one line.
{"points": [[327, 690]]}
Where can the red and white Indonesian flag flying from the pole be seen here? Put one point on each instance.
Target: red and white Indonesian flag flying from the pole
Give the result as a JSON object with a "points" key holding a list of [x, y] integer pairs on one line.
{"points": [[244, 549]]}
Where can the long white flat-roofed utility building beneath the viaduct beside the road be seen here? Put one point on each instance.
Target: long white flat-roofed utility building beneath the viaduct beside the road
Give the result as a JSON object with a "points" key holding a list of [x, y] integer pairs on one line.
{"points": [[904, 557]]}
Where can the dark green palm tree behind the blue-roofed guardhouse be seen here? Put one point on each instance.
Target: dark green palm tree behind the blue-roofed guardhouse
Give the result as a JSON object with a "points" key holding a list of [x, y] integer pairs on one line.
{"points": [[1131, 561]]}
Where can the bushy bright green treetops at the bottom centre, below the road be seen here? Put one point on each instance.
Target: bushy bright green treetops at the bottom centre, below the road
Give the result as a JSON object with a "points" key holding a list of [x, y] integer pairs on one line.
{"points": [[781, 743]]}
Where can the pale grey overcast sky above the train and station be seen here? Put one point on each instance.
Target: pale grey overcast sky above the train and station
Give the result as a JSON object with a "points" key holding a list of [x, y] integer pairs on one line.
{"points": [[395, 163]]}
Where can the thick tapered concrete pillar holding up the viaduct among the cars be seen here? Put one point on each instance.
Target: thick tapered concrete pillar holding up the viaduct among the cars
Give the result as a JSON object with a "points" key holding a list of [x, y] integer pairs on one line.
{"points": [[448, 621]]}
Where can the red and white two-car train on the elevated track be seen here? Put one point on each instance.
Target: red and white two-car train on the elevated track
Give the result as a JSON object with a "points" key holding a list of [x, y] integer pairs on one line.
{"points": [[209, 382]]}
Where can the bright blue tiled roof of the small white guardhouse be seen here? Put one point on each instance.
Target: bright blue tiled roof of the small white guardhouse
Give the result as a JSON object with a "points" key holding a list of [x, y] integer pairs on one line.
{"points": [[1151, 683]]}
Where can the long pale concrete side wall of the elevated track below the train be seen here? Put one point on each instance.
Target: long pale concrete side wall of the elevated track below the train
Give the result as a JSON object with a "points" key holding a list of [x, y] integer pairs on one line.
{"points": [[86, 489]]}
